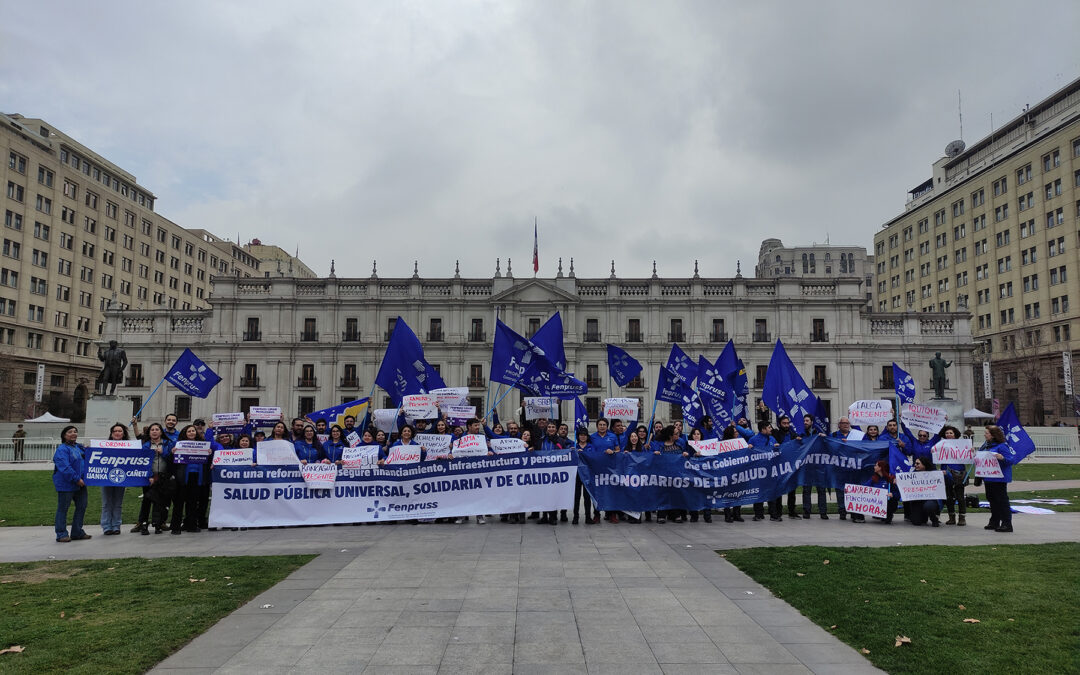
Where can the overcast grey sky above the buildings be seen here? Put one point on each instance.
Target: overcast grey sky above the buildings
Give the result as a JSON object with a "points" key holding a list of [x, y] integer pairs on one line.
{"points": [[439, 131]]}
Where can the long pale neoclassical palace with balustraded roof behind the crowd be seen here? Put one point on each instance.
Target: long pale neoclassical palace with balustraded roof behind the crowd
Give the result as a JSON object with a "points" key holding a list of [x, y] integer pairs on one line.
{"points": [[312, 344]]}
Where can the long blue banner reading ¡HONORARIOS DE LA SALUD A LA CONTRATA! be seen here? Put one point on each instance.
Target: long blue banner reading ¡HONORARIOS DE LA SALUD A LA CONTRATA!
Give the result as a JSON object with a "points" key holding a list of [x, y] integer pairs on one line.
{"points": [[650, 482]]}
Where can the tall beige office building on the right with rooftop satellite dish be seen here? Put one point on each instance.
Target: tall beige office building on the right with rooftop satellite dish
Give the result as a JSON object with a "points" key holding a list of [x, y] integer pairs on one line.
{"points": [[1000, 221]]}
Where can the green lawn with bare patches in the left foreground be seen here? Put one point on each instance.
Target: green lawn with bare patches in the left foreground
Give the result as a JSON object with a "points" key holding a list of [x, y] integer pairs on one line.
{"points": [[121, 616]]}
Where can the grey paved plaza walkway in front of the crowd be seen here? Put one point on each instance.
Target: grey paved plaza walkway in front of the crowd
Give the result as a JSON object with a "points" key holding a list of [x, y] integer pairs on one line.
{"points": [[522, 599]]}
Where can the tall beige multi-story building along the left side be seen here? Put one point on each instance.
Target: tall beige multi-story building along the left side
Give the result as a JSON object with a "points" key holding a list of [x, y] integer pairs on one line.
{"points": [[79, 233]]}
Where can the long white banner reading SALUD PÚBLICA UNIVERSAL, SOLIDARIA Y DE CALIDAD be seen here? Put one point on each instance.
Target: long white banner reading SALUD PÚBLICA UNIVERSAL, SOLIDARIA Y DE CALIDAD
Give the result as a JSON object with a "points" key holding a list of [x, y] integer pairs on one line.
{"points": [[259, 496]]}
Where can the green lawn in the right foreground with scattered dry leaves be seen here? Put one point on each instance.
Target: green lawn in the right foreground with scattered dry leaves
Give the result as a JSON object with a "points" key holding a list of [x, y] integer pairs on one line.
{"points": [[1025, 598]]}
